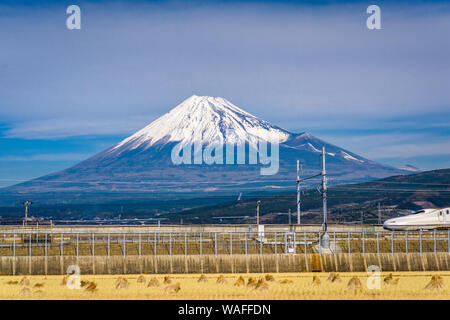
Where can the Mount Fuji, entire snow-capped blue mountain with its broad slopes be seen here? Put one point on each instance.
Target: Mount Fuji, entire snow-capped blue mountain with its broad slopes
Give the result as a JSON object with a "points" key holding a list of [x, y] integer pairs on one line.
{"points": [[143, 163]]}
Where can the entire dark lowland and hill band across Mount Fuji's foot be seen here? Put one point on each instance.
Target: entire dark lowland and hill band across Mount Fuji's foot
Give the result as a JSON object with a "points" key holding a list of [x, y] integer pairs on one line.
{"points": [[396, 195]]}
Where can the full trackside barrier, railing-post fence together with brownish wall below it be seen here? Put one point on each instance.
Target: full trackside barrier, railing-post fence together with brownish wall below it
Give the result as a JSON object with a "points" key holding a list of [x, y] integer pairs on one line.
{"points": [[217, 248]]}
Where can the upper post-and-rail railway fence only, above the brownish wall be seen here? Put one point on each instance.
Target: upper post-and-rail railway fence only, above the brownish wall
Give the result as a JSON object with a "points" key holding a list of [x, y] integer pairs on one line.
{"points": [[220, 241]]}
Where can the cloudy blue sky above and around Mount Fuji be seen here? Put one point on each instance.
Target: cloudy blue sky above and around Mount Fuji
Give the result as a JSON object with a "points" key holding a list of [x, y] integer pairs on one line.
{"points": [[66, 95]]}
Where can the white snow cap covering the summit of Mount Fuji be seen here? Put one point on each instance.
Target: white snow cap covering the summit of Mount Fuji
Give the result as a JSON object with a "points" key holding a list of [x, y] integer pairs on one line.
{"points": [[207, 120]]}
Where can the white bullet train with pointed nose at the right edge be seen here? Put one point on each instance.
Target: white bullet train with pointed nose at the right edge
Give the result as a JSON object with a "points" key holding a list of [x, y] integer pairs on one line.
{"points": [[421, 220]]}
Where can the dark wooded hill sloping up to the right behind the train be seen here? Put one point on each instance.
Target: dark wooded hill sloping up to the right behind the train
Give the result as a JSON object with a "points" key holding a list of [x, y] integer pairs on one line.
{"points": [[397, 195]]}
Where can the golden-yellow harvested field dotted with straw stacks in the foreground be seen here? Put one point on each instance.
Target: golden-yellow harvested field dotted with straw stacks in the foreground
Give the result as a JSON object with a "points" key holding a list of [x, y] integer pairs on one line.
{"points": [[410, 285]]}
